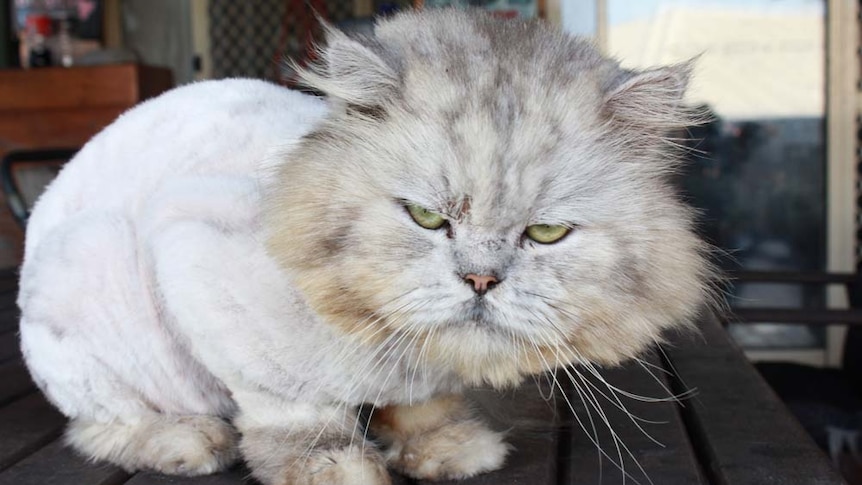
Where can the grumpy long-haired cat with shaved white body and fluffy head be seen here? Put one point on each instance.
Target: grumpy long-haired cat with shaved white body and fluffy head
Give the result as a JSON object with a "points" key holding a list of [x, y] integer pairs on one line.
{"points": [[232, 269]]}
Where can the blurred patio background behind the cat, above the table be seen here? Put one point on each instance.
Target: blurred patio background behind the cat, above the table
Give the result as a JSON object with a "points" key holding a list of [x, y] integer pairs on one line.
{"points": [[775, 190]]}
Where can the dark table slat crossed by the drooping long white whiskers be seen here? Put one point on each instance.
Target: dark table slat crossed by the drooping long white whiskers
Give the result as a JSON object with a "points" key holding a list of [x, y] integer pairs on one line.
{"points": [[671, 462]]}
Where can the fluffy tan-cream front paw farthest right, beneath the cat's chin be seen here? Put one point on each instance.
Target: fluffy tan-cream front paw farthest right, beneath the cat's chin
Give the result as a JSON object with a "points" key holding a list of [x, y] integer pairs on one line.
{"points": [[454, 451]]}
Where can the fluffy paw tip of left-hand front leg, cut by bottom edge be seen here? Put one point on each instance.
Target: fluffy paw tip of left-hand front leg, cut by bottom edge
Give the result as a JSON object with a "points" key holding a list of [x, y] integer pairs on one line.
{"points": [[346, 466]]}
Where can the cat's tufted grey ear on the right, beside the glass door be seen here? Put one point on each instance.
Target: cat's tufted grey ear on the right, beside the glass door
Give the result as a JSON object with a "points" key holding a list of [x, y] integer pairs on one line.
{"points": [[651, 99]]}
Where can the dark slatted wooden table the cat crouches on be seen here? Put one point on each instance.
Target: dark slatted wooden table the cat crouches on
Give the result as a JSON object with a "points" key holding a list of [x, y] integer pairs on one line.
{"points": [[732, 430]]}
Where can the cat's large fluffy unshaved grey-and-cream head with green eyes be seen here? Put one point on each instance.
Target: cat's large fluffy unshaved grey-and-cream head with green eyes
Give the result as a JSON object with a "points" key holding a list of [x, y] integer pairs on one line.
{"points": [[495, 191]]}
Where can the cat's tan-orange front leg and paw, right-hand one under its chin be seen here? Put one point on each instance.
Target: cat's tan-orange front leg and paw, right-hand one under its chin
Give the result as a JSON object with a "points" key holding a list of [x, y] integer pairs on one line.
{"points": [[439, 439]]}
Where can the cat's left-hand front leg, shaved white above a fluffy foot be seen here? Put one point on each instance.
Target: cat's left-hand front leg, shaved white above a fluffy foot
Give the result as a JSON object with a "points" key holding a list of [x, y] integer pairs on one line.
{"points": [[287, 443]]}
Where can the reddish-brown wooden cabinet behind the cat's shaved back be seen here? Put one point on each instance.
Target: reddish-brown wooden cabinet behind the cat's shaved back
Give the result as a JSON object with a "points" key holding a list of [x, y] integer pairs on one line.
{"points": [[60, 107]]}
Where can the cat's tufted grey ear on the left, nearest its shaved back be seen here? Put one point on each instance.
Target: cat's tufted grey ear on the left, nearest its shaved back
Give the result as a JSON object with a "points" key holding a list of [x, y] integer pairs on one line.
{"points": [[350, 71]]}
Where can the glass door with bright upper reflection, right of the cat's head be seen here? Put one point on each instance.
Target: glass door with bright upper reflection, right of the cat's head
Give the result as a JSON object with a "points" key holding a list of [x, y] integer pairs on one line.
{"points": [[757, 170]]}
